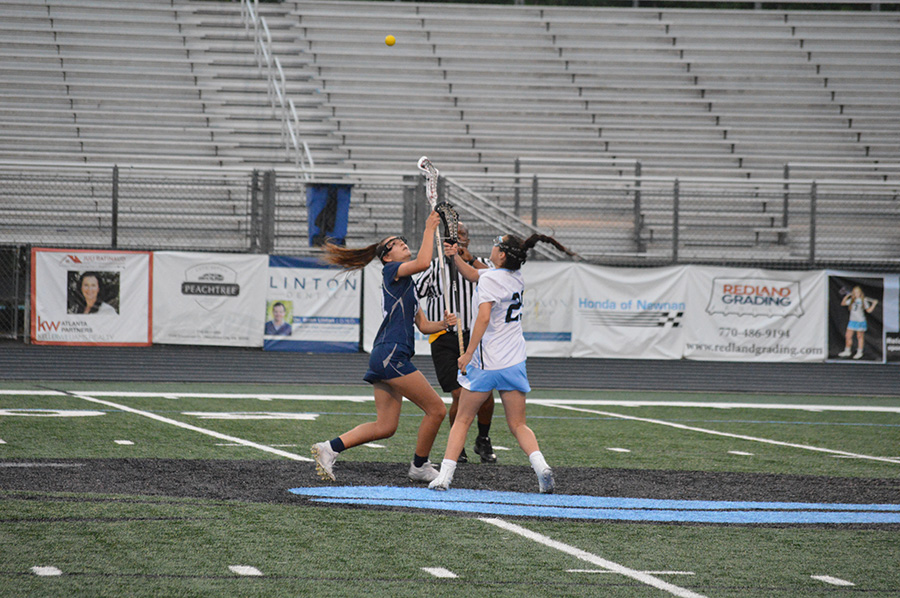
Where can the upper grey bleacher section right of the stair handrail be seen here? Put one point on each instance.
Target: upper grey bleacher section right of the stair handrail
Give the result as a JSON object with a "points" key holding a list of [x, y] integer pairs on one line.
{"points": [[558, 63]]}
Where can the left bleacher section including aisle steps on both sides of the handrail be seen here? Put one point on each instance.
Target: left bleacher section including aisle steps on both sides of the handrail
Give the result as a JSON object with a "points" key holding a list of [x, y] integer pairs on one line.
{"points": [[151, 68]]}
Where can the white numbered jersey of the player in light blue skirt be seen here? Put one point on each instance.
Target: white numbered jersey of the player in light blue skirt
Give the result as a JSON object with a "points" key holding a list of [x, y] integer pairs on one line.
{"points": [[503, 344]]}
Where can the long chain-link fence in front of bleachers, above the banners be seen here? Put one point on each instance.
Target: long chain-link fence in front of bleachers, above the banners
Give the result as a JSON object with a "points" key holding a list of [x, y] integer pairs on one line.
{"points": [[779, 223]]}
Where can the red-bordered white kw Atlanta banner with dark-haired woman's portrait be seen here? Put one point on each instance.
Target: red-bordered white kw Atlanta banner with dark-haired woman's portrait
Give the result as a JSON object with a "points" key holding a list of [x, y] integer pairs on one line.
{"points": [[83, 297]]}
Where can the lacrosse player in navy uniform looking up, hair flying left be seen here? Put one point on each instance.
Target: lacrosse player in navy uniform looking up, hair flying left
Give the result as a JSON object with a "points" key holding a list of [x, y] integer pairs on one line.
{"points": [[391, 371]]}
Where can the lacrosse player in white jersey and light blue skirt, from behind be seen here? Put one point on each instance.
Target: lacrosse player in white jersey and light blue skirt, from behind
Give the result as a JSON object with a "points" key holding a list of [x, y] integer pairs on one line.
{"points": [[495, 356]]}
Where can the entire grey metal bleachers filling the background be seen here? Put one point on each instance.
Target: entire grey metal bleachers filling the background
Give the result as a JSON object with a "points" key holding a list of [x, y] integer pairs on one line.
{"points": [[724, 94]]}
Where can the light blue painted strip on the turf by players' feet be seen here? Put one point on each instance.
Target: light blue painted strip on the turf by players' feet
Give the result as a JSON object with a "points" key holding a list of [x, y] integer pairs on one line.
{"points": [[487, 502]]}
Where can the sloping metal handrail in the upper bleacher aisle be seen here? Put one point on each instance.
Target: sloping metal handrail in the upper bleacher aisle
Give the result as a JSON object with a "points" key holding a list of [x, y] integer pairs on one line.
{"points": [[282, 106]]}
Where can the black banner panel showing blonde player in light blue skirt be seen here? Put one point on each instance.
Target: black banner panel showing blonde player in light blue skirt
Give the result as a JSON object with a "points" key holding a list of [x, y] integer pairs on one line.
{"points": [[856, 318]]}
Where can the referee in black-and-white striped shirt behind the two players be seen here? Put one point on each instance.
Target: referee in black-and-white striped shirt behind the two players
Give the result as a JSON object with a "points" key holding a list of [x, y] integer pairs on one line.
{"points": [[445, 345]]}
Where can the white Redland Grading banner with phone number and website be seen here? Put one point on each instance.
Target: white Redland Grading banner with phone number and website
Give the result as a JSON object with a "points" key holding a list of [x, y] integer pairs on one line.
{"points": [[755, 315]]}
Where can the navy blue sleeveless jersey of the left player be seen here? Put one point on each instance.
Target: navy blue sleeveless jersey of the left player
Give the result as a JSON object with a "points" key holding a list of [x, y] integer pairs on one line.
{"points": [[399, 306]]}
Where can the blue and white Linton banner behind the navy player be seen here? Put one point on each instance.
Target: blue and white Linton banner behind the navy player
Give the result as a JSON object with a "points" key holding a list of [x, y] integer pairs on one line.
{"points": [[311, 307]]}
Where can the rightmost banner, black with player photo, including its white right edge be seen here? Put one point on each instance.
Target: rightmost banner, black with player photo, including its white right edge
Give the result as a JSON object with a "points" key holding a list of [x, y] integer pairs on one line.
{"points": [[863, 317]]}
